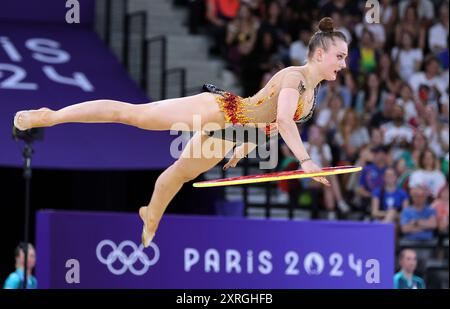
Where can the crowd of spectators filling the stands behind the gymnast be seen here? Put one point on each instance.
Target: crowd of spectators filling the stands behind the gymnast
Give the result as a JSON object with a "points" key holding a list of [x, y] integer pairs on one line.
{"points": [[388, 112]]}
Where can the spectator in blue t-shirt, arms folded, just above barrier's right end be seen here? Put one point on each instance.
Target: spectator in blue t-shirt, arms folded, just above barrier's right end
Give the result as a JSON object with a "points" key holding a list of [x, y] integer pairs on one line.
{"points": [[418, 222]]}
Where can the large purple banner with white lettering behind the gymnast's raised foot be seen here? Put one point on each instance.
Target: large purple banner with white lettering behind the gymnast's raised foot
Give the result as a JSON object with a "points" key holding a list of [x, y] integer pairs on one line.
{"points": [[58, 65]]}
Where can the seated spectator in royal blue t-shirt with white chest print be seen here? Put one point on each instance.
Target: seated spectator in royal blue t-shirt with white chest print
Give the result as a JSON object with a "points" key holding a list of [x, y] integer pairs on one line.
{"points": [[389, 199]]}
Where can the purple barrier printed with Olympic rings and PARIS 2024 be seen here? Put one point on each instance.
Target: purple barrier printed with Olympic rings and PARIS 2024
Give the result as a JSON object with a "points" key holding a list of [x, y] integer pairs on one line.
{"points": [[102, 250]]}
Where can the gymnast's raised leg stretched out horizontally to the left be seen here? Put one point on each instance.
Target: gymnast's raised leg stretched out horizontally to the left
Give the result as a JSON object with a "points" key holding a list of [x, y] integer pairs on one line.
{"points": [[160, 115]]}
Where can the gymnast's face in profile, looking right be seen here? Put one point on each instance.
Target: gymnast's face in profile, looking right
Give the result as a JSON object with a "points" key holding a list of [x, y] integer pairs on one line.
{"points": [[332, 60]]}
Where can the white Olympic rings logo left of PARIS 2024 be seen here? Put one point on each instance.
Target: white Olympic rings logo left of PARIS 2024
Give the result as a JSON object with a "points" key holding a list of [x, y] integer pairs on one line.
{"points": [[128, 261]]}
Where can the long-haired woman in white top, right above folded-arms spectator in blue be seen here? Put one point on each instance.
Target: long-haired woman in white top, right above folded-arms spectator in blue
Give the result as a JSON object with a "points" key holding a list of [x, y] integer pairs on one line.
{"points": [[428, 175]]}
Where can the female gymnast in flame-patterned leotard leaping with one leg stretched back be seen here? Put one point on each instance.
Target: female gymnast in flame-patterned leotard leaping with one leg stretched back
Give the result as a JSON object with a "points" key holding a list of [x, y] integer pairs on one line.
{"points": [[288, 98]]}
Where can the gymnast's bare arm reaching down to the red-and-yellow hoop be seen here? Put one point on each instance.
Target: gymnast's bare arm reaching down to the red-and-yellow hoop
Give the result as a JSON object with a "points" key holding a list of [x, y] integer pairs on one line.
{"points": [[287, 105]]}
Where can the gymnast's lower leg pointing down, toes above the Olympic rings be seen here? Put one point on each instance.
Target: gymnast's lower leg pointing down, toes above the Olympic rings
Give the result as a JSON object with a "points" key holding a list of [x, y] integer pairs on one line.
{"points": [[186, 168]]}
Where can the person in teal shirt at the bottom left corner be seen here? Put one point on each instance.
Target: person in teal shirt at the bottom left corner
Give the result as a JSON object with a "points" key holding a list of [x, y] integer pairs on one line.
{"points": [[15, 279]]}
